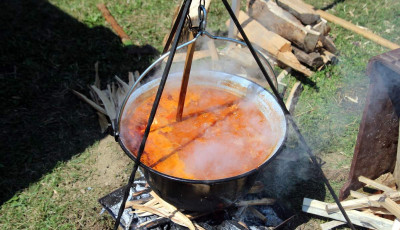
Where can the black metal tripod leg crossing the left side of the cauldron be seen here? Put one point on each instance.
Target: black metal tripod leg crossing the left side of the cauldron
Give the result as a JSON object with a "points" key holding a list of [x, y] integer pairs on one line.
{"points": [[153, 110]]}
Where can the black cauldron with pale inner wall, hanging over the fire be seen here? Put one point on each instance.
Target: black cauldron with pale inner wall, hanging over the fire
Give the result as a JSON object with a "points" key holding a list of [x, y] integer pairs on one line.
{"points": [[207, 195]]}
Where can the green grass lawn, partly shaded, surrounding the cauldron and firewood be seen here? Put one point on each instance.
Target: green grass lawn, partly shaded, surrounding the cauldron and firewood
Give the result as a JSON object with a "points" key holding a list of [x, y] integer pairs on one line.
{"points": [[55, 164]]}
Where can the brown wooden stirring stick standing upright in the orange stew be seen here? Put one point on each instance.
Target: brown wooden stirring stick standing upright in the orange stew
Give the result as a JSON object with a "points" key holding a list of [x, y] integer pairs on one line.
{"points": [[185, 78]]}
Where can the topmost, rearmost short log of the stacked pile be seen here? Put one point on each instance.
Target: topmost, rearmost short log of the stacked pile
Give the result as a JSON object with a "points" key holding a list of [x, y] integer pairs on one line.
{"points": [[300, 10]]}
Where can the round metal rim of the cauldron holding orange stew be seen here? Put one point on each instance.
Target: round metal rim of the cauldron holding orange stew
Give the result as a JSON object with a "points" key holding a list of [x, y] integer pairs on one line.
{"points": [[221, 180]]}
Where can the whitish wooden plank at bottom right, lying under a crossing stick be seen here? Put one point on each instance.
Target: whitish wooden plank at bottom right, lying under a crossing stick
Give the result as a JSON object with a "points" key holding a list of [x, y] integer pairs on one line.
{"points": [[358, 218]]}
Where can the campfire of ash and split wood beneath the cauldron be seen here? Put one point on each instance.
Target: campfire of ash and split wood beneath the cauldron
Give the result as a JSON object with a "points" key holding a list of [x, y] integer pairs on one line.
{"points": [[145, 210]]}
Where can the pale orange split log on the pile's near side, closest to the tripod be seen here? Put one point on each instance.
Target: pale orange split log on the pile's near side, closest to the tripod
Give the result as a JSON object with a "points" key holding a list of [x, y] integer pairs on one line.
{"points": [[274, 44]]}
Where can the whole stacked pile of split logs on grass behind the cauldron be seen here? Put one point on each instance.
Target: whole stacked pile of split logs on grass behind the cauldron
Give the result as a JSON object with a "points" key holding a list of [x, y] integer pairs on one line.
{"points": [[291, 32]]}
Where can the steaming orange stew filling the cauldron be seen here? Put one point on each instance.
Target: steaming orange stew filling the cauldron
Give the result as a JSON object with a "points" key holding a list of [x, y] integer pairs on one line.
{"points": [[221, 135]]}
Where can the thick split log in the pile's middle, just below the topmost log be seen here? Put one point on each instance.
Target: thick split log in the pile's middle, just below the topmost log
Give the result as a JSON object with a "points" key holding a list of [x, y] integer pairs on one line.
{"points": [[283, 23]]}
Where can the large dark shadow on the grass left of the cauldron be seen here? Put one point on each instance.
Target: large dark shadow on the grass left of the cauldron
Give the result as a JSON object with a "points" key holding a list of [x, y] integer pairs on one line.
{"points": [[44, 53]]}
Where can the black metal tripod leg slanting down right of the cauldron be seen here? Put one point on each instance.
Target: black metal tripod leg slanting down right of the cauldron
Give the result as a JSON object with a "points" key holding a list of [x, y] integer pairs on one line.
{"points": [[286, 111]]}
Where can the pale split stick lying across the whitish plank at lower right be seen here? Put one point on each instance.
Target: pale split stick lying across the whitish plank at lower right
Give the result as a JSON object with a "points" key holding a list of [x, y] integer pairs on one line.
{"points": [[369, 201]]}
